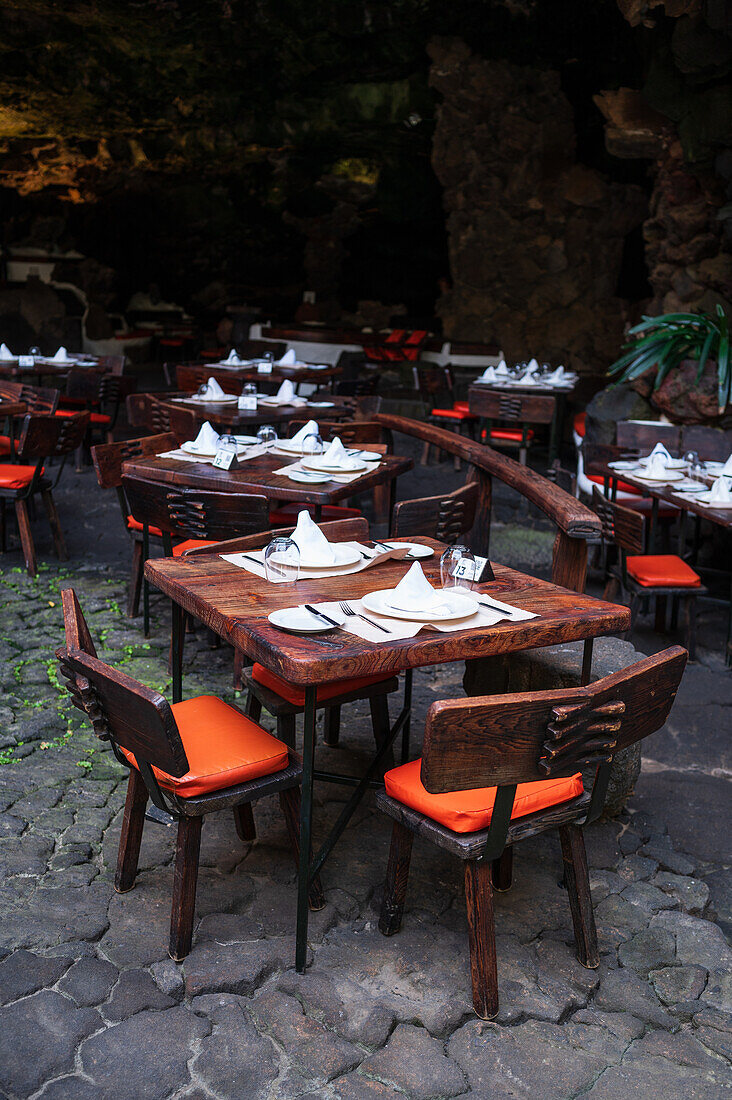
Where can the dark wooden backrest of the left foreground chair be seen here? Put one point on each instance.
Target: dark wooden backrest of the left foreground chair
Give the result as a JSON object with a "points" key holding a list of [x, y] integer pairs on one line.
{"points": [[132, 716]]}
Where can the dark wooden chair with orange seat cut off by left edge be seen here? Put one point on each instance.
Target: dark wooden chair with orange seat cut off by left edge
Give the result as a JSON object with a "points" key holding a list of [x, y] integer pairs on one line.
{"points": [[42, 437]]}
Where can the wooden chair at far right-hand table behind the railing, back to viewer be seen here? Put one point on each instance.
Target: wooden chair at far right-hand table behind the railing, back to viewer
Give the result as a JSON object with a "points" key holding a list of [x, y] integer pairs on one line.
{"points": [[509, 410]]}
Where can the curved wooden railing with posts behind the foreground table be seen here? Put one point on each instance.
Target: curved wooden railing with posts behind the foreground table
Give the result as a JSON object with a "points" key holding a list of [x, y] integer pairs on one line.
{"points": [[576, 524]]}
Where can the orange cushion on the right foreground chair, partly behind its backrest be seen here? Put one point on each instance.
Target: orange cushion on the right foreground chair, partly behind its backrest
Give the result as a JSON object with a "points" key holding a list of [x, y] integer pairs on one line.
{"points": [[469, 811]]}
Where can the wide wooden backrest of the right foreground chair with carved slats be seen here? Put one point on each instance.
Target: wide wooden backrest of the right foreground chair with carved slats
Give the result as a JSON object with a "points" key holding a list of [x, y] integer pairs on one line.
{"points": [[520, 739]]}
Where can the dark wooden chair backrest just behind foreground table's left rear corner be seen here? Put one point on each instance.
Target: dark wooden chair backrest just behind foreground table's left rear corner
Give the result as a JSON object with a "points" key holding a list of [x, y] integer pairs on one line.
{"points": [[193, 513]]}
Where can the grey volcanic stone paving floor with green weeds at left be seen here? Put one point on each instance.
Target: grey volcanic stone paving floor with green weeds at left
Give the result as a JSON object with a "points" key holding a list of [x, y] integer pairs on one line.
{"points": [[93, 1008]]}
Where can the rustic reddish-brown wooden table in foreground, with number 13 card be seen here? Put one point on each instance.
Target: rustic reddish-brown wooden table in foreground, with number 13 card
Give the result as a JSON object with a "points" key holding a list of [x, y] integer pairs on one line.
{"points": [[236, 604]]}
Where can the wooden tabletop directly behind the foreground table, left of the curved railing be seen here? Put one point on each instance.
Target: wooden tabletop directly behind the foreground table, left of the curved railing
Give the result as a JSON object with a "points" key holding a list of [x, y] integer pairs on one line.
{"points": [[258, 477]]}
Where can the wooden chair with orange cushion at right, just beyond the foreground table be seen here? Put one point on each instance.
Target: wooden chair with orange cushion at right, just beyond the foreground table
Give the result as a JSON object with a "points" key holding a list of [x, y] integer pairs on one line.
{"points": [[647, 576]]}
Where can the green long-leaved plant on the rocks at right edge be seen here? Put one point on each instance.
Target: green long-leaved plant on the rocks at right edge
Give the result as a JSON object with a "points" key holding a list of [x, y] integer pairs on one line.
{"points": [[665, 342]]}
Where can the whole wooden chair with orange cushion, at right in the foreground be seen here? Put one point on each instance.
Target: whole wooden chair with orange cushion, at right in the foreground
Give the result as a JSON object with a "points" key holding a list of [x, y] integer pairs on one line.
{"points": [[518, 761]]}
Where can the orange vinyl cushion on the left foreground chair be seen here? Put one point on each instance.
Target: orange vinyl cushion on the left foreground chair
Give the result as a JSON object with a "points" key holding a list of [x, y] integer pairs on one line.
{"points": [[224, 749]]}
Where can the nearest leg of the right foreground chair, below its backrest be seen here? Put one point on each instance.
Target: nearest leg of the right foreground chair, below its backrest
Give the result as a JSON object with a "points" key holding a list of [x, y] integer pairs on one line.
{"points": [[482, 931]]}
